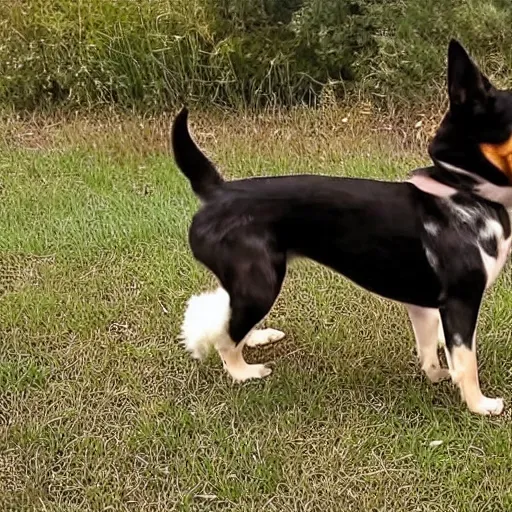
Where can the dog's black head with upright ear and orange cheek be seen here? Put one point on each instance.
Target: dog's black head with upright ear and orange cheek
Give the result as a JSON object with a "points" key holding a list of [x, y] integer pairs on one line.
{"points": [[475, 136]]}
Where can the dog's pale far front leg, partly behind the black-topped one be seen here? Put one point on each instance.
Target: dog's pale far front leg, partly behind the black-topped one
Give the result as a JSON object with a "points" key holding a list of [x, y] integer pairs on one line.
{"points": [[425, 324]]}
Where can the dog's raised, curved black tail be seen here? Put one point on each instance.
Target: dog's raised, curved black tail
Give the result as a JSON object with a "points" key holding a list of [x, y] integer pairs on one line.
{"points": [[193, 163]]}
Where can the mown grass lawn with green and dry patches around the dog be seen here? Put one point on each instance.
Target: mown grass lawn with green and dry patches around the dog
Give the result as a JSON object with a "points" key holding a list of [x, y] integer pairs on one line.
{"points": [[101, 409]]}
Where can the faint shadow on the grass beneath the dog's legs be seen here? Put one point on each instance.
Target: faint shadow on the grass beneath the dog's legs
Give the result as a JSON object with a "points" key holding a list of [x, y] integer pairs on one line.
{"points": [[313, 381]]}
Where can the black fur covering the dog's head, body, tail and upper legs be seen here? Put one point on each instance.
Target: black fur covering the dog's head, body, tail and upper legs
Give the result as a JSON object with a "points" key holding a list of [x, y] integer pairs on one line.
{"points": [[374, 233]]}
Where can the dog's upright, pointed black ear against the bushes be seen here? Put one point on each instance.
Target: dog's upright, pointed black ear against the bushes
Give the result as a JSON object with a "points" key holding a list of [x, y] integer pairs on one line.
{"points": [[466, 83]]}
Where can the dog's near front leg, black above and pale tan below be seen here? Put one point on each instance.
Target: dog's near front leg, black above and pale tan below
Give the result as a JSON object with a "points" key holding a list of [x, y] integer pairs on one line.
{"points": [[459, 316]]}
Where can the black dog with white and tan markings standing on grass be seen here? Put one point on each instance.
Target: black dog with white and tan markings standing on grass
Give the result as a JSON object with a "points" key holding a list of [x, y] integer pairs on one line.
{"points": [[434, 242]]}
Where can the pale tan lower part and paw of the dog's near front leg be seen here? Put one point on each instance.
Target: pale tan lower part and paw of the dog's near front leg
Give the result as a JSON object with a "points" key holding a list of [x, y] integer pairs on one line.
{"points": [[464, 373]]}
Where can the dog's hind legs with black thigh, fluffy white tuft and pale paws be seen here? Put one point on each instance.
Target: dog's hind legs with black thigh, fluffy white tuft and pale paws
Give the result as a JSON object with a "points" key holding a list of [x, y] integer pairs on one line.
{"points": [[225, 318]]}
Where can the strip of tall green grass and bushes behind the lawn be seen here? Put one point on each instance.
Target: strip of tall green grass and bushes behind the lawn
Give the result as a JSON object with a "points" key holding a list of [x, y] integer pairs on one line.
{"points": [[155, 54]]}
